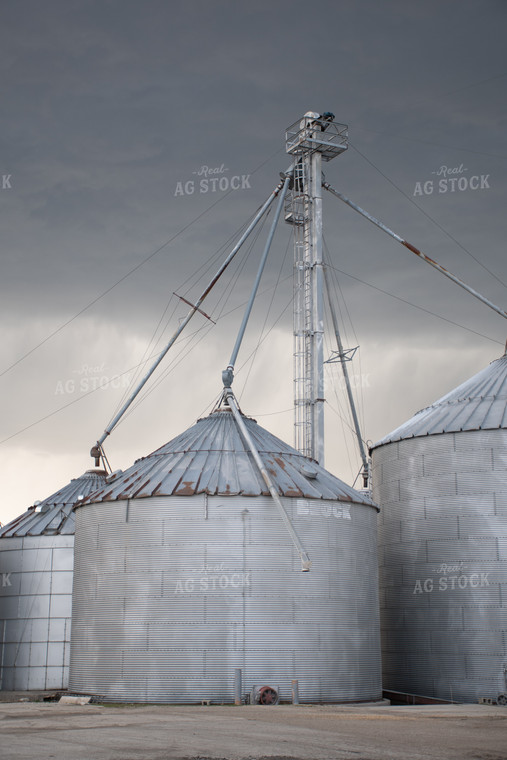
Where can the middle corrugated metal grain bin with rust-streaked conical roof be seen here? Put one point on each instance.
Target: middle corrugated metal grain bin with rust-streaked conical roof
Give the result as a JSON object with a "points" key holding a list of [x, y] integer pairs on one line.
{"points": [[184, 572]]}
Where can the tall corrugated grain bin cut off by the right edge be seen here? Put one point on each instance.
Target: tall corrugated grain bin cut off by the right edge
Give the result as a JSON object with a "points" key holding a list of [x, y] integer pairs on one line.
{"points": [[441, 483]]}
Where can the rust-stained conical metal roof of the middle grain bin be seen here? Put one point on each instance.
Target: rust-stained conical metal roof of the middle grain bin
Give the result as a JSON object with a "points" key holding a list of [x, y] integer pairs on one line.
{"points": [[212, 458]]}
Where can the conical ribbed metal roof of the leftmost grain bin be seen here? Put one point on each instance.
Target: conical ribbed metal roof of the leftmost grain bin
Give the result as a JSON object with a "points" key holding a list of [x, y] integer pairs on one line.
{"points": [[54, 515]]}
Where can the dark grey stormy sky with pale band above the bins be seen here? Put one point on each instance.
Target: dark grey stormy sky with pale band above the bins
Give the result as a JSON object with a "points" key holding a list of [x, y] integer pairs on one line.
{"points": [[111, 114]]}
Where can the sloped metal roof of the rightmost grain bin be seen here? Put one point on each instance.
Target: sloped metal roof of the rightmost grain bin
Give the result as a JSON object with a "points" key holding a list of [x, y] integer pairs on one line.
{"points": [[480, 403]]}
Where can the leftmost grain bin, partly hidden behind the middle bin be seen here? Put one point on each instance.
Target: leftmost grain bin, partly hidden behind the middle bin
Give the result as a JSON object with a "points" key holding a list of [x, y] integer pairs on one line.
{"points": [[36, 567]]}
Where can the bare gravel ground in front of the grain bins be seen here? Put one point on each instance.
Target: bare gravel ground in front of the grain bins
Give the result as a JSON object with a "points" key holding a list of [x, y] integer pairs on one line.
{"points": [[52, 731]]}
